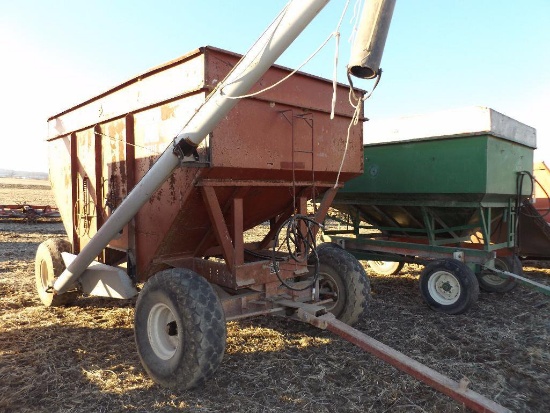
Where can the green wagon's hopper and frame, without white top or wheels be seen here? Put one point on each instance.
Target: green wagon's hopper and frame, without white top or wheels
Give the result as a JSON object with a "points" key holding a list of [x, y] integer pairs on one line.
{"points": [[436, 198]]}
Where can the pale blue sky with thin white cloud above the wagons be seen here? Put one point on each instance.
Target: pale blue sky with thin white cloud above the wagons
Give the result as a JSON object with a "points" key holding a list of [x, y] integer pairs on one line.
{"points": [[439, 55]]}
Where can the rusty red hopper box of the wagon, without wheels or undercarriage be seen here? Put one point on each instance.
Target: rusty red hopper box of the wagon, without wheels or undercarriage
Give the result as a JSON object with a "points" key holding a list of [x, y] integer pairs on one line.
{"points": [[255, 166]]}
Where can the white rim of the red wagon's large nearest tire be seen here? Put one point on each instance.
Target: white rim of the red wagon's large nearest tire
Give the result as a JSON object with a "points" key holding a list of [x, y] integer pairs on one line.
{"points": [[163, 331]]}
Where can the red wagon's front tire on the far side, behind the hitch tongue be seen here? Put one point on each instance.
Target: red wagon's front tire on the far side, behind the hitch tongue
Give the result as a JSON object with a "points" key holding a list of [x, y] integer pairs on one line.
{"points": [[342, 277]]}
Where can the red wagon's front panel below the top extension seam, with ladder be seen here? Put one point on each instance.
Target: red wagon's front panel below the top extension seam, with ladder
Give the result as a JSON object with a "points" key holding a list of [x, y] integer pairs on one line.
{"points": [[257, 137]]}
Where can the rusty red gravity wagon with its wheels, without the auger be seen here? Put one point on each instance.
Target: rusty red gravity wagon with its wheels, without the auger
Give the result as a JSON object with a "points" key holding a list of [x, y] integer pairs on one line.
{"points": [[258, 167]]}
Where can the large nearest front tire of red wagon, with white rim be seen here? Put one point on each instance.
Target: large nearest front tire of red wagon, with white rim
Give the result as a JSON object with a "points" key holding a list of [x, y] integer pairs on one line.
{"points": [[180, 329]]}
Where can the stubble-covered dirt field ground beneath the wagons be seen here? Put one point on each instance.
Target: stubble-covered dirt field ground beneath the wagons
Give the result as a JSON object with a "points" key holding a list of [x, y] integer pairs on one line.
{"points": [[82, 358]]}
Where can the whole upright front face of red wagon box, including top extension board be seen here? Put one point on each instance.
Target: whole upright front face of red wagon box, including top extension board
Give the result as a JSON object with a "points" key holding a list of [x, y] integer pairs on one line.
{"points": [[285, 129]]}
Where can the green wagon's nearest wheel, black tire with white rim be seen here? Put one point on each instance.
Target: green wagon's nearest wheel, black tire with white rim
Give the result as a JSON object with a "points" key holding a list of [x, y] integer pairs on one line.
{"points": [[449, 286]]}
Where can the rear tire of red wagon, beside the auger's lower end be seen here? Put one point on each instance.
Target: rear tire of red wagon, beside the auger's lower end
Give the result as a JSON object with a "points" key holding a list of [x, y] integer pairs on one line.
{"points": [[48, 265]]}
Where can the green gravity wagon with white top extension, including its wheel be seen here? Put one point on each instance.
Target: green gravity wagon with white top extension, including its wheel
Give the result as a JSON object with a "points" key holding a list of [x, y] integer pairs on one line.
{"points": [[442, 190]]}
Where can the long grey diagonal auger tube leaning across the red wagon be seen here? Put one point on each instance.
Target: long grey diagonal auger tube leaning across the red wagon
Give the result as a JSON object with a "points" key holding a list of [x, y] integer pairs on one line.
{"points": [[261, 56]]}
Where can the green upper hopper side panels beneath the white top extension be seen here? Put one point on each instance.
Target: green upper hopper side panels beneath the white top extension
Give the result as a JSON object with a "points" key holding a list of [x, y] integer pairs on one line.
{"points": [[468, 168]]}
